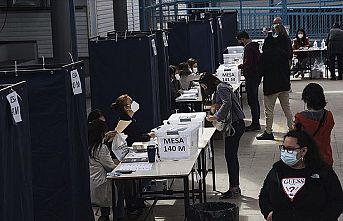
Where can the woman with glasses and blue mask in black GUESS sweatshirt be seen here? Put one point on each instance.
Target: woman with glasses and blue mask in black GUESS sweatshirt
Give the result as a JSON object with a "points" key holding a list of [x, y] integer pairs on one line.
{"points": [[300, 186]]}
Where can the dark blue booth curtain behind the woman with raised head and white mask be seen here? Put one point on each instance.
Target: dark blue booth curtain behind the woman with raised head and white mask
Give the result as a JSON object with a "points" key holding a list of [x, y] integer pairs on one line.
{"points": [[127, 66]]}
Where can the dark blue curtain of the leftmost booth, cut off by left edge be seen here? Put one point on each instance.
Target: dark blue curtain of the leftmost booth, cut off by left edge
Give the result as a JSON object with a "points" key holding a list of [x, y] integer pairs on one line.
{"points": [[16, 202]]}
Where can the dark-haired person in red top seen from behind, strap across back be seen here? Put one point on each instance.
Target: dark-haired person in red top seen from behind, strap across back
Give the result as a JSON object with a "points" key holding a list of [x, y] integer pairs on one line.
{"points": [[316, 120]]}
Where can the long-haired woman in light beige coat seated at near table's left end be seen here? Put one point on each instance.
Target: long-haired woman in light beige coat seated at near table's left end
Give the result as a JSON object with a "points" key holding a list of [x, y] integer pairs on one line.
{"points": [[100, 163]]}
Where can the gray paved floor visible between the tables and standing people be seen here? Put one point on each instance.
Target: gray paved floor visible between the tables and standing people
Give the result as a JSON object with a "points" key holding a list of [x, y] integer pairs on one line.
{"points": [[256, 157]]}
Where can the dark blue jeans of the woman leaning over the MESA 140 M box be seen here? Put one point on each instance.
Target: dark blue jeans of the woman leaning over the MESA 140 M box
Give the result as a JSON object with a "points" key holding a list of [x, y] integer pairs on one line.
{"points": [[231, 149]]}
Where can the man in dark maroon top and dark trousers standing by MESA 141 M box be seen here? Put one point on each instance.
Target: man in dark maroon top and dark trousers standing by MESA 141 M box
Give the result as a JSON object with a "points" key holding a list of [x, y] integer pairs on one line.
{"points": [[252, 77]]}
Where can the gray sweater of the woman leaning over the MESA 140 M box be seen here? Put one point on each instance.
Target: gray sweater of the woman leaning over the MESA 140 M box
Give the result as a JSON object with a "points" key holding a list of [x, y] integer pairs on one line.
{"points": [[228, 101]]}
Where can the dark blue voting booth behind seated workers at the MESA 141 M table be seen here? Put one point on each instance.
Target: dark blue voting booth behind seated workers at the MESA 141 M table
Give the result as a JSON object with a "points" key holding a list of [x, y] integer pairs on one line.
{"points": [[192, 39]]}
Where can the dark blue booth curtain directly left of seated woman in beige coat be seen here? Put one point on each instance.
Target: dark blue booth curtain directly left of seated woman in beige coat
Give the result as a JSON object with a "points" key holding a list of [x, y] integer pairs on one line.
{"points": [[60, 167]]}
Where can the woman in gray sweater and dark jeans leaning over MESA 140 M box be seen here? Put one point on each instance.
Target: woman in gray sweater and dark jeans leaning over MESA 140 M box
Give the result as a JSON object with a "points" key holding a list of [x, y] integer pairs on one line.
{"points": [[226, 102]]}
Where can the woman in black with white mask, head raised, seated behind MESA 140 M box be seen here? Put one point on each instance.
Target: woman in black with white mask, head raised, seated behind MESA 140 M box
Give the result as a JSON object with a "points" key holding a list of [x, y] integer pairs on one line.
{"points": [[126, 108]]}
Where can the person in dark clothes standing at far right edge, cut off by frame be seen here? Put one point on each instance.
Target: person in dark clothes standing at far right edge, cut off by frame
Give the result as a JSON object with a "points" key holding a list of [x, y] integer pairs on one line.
{"points": [[335, 49]]}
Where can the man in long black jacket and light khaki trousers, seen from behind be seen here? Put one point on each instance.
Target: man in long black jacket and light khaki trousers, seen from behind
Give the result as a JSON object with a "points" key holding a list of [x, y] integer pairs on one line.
{"points": [[276, 83]]}
